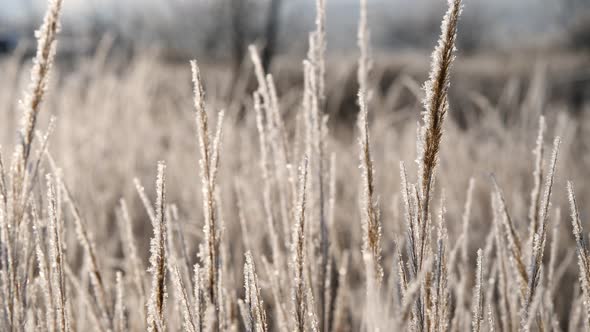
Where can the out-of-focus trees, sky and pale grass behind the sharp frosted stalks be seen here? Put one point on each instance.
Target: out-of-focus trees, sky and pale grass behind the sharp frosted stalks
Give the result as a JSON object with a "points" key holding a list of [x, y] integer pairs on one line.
{"points": [[122, 67]]}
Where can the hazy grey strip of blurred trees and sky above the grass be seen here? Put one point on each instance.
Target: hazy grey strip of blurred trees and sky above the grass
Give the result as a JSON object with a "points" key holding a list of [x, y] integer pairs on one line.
{"points": [[220, 28]]}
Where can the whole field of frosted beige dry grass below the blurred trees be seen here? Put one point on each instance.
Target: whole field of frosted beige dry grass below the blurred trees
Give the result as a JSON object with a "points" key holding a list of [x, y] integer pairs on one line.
{"points": [[342, 194]]}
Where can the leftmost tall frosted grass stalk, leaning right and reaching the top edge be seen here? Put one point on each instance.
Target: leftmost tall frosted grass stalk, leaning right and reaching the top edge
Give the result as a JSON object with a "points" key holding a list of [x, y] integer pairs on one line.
{"points": [[15, 191]]}
